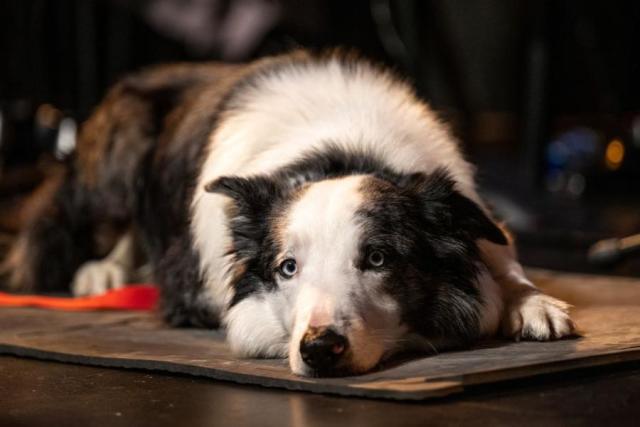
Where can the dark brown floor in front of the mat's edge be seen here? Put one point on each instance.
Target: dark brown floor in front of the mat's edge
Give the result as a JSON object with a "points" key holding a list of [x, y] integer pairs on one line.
{"points": [[34, 393]]}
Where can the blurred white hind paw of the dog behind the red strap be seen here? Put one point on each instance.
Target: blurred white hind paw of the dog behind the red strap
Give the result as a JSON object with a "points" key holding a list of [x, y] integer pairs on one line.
{"points": [[97, 277]]}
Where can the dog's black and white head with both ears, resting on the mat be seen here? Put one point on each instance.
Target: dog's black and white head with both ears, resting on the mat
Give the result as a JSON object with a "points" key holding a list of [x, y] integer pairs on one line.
{"points": [[359, 264]]}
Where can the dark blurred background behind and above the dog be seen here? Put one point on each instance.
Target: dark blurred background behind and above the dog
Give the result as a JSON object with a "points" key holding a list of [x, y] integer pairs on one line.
{"points": [[537, 91]]}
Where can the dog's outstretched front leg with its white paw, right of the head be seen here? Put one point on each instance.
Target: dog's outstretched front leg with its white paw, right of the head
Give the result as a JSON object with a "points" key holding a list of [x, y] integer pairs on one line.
{"points": [[528, 312]]}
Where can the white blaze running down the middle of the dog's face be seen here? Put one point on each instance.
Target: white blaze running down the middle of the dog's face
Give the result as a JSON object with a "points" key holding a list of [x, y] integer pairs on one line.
{"points": [[323, 235]]}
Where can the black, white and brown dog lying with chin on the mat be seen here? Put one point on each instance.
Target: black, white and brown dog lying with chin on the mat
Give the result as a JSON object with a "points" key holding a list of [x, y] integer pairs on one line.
{"points": [[309, 204]]}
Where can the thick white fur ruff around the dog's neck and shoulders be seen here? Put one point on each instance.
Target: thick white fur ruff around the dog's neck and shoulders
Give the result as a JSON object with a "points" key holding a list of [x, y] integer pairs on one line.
{"points": [[309, 106]]}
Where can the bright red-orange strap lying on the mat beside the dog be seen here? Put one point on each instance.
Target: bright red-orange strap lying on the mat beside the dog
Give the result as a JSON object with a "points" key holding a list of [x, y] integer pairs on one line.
{"points": [[135, 297]]}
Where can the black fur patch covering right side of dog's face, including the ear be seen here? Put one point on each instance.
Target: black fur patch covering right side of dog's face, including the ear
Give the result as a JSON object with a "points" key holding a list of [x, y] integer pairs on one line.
{"points": [[427, 230]]}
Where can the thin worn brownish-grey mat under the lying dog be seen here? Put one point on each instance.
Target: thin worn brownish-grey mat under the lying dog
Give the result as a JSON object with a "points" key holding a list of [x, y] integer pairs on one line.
{"points": [[607, 311]]}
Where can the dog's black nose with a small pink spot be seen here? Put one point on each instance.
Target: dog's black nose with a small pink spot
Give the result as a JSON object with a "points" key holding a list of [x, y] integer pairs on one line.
{"points": [[322, 348]]}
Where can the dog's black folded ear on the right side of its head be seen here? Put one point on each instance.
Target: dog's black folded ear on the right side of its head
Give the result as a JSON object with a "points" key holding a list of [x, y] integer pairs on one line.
{"points": [[448, 208]]}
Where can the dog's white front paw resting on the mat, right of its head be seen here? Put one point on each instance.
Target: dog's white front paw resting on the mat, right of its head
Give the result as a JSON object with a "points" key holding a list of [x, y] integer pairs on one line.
{"points": [[539, 317]]}
